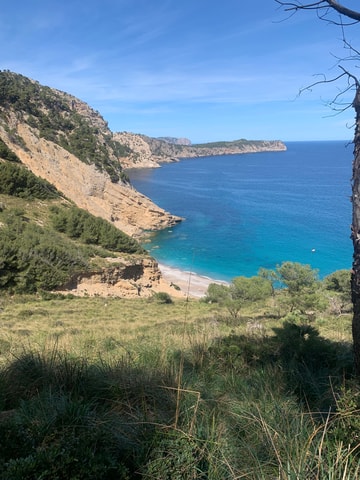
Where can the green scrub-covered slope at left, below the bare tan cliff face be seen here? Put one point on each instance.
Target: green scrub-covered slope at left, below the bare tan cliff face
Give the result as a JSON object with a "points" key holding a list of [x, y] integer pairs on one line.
{"points": [[35, 255]]}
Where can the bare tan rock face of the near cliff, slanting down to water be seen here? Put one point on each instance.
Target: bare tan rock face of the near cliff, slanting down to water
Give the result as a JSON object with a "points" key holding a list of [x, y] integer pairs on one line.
{"points": [[87, 187]]}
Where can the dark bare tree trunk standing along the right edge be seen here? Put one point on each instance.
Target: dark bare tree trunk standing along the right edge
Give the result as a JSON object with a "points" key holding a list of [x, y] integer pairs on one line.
{"points": [[355, 278]]}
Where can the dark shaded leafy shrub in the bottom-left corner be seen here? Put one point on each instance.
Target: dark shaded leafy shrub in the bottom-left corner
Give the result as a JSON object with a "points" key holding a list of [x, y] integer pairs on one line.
{"points": [[60, 438]]}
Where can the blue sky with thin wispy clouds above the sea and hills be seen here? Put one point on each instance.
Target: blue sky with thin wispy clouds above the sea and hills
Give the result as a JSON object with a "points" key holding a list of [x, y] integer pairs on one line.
{"points": [[201, 69]]}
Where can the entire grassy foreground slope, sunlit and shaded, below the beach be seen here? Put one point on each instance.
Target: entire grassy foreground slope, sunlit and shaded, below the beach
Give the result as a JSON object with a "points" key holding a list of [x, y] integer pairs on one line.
{"points": [[125, 389]]}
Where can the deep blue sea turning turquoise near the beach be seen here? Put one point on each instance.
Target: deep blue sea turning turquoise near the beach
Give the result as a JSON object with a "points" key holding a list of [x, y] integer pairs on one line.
{"points": [[249, 211]]}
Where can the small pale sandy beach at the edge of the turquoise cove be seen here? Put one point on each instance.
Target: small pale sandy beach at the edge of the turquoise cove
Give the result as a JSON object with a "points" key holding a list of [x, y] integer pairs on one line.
{"points": [[191, 284]]}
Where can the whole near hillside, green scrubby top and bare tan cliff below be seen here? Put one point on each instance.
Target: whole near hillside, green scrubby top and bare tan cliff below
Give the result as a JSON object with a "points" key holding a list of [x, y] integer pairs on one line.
{"points": [[61, 139]]}
